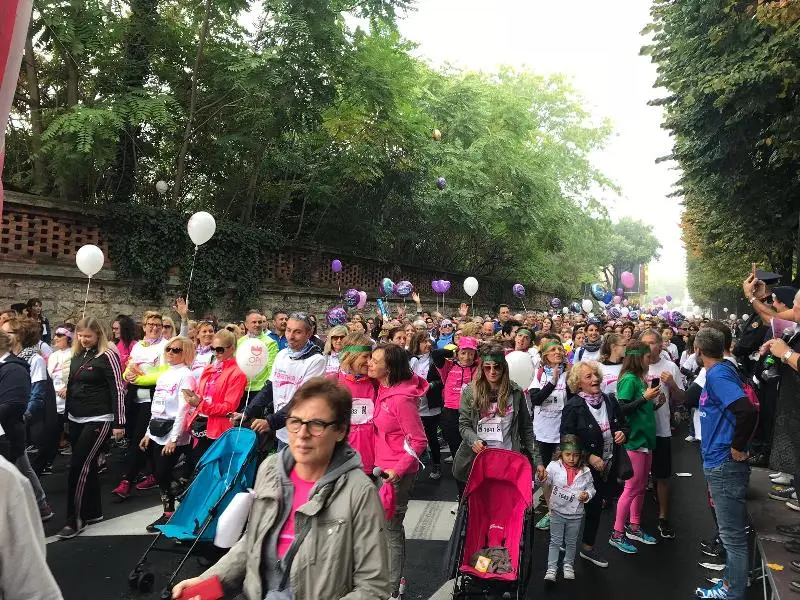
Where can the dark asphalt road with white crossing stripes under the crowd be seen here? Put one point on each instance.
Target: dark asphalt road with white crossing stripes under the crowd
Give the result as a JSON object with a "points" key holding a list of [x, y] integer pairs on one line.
{"points": [[95, 565]]}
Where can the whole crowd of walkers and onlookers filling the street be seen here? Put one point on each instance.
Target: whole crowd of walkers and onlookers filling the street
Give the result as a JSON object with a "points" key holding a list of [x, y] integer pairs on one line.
{"points": [[350, 418]]}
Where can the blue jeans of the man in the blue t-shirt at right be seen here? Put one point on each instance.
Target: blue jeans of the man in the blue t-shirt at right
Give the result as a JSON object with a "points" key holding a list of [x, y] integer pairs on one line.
{"points": [[728, 484]]}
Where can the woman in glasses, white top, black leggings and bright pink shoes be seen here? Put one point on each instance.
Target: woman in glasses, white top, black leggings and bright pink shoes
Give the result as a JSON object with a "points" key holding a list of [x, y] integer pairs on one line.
{"points": [[141, 374]]}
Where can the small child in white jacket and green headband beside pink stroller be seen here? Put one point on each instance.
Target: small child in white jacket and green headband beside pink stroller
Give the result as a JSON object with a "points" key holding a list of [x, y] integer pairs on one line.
{"points": [[572, 487]]}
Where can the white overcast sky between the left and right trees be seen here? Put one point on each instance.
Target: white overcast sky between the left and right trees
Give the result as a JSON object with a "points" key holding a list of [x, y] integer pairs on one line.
{"points": [[597, 45]]}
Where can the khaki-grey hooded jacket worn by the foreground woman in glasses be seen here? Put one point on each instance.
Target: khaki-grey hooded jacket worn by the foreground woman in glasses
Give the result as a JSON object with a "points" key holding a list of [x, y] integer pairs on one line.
{"points": [[344, 554]]}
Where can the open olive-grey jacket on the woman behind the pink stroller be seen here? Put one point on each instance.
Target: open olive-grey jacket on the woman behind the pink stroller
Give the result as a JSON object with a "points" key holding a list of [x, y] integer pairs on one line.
{"points": [[468, 416]]}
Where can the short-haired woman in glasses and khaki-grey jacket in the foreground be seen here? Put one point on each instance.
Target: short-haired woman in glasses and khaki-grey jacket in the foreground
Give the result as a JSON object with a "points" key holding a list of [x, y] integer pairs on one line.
{"points": [[315, 529]]}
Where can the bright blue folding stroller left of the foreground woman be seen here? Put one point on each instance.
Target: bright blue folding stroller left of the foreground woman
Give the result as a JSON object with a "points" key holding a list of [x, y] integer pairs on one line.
{"points": [[227, 468]]}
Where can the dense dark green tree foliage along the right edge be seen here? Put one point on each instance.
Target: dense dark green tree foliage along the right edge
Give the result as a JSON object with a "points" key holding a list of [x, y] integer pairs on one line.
{"points": [[732, 73]]}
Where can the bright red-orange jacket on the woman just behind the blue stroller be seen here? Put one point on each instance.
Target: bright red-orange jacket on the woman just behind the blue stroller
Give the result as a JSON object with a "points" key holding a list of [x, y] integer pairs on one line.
{"points": [[226, 395]]}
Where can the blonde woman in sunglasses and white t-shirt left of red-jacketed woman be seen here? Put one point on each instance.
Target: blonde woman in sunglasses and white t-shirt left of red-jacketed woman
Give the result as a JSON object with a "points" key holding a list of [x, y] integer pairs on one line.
{"points": [[166, 438]]}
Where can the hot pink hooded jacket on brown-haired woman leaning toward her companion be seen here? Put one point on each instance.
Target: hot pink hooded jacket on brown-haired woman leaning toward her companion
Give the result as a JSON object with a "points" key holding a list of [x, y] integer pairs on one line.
{"points": [[397, 420]]}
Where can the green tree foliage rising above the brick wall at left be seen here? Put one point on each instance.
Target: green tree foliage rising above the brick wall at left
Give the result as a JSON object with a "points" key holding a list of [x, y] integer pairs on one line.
{"points": [[314, 131]]}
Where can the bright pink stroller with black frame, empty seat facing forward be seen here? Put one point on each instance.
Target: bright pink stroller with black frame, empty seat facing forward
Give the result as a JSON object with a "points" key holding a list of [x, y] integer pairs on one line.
{"points": [[491, 550]]}
